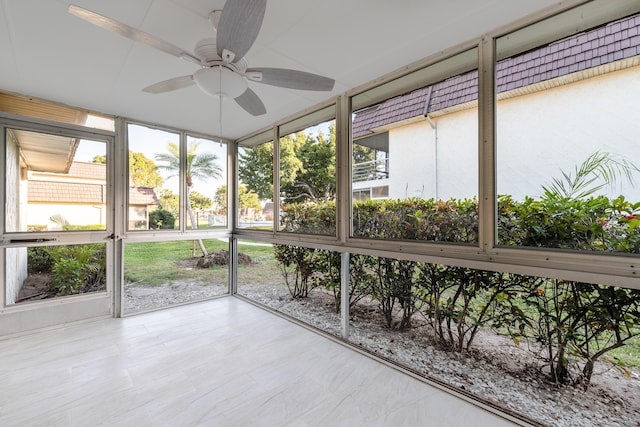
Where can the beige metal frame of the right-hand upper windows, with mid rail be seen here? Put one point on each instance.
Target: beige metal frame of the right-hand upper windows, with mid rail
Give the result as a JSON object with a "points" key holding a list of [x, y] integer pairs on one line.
{"points": [[616, 270]]}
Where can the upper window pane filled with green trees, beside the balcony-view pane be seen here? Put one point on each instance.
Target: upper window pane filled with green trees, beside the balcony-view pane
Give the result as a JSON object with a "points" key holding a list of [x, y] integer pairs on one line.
{"points": [[308, 179]]}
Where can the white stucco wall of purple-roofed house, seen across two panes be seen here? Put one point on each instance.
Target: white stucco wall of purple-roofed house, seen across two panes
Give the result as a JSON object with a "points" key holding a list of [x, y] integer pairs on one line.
{"points": [[538, 135]]}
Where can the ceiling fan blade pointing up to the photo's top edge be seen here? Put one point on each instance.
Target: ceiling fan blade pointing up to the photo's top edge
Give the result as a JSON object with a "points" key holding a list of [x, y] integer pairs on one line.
{"points": [[238, 27]]}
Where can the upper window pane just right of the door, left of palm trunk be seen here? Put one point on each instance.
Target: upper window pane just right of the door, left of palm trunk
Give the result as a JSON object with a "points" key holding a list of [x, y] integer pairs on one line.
{"points": [[154, 179]]}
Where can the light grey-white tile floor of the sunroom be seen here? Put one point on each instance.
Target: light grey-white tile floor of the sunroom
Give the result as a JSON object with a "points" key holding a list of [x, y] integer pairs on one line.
{"points": [[223, 362]]}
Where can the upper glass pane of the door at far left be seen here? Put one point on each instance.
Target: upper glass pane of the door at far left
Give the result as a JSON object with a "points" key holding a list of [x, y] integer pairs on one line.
{"points": [[54, 183]]}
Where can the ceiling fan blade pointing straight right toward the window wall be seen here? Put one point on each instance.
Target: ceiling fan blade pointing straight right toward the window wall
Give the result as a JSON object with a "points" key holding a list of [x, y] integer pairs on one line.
{"points": [[290, 79]]}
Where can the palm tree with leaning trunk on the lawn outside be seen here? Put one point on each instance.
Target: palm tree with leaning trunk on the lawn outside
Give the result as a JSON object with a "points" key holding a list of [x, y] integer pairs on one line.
{"points": [[201, 166]]}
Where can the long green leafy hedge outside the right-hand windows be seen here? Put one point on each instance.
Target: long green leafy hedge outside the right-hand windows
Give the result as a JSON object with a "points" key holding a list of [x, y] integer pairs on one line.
{"points": [[571, 324]]}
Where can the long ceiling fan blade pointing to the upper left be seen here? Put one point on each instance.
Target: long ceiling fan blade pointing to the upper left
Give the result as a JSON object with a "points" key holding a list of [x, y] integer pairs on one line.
{"points": [[131, 33]]}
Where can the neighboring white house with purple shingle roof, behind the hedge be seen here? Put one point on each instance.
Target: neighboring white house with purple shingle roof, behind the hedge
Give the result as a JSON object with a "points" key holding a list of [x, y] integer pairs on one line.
{"points": [[427, 140]]}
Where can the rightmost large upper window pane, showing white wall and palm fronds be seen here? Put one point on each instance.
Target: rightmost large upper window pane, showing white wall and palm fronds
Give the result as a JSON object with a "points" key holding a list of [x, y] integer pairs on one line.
{"points": [[568, 153]]}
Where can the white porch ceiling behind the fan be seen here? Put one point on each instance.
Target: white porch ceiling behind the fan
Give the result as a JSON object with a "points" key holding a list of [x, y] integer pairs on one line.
{"points": [[47, 53]]}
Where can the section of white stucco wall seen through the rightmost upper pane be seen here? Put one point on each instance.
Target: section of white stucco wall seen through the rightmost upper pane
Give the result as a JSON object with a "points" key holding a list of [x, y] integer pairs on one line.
{"points": [[542, 133]]}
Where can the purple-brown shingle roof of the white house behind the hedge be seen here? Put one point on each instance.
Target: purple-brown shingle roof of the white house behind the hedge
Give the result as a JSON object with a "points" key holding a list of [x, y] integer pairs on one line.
{"points": [[615, 41]]}
